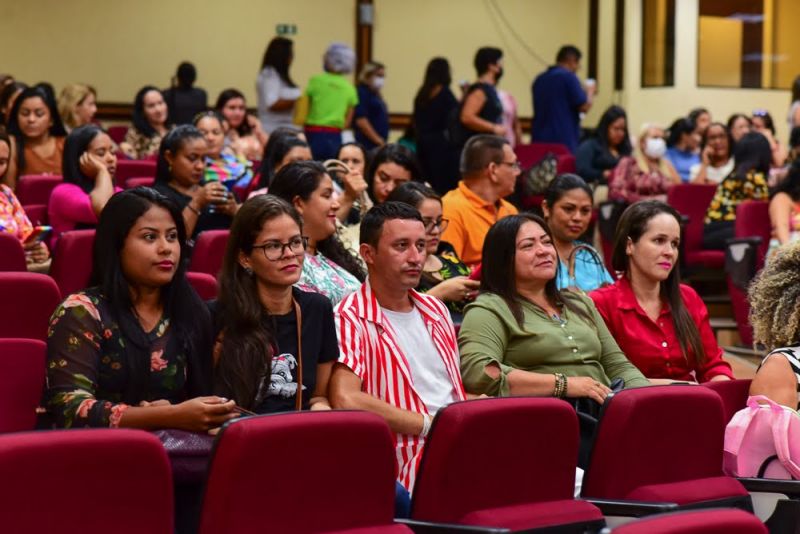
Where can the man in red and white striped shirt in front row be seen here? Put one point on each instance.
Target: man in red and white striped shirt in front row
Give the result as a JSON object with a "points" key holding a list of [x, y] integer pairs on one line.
{"points": [[398, 350]]}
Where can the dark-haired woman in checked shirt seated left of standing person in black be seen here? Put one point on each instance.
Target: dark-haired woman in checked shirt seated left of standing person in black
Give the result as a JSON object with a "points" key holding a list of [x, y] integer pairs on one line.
{"points": [[149, 124]]}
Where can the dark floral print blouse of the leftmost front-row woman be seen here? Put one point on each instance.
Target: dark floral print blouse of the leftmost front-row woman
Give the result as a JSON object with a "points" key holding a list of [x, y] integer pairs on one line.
{"points": [[86, 366]]}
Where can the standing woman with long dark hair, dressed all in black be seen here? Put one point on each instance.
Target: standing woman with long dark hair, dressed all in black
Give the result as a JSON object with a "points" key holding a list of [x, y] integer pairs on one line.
{"points": [[433, 106]]}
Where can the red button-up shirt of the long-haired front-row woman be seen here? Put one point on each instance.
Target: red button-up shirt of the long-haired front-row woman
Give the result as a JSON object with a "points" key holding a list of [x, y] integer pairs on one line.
{"points": [[653, 346]]}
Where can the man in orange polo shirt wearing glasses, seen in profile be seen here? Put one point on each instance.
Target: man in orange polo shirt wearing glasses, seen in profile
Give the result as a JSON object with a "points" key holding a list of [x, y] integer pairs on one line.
{"points": [[489, 170]]}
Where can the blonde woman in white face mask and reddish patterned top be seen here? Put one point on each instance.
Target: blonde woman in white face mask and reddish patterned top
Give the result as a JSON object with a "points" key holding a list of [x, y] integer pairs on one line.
{"points": [[647, 175]]}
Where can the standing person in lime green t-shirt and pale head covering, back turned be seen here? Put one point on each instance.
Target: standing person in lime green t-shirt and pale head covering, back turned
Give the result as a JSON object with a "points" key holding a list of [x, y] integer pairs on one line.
{"points": [[331, 100]]}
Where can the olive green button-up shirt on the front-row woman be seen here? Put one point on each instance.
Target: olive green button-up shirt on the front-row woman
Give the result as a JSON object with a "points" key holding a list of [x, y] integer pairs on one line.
{"points": [[571, 345]]}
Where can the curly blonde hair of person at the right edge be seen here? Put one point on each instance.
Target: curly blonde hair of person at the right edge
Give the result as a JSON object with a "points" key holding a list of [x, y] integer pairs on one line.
{"points": [[775, 300]]}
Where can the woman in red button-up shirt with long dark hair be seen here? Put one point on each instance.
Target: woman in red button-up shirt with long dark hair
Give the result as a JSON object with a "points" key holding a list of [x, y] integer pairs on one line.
{"points": [[659, 323]]}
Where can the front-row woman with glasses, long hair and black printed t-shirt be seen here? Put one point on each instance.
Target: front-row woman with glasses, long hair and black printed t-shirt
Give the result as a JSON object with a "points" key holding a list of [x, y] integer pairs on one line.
{"points": [[262, 317]]}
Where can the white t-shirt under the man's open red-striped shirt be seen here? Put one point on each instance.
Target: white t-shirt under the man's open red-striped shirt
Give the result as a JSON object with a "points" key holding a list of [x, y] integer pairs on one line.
{"points": [[428, 372]]}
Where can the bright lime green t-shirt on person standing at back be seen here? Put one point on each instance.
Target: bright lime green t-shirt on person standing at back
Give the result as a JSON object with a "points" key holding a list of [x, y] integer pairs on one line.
{"points": [[330, 96]]}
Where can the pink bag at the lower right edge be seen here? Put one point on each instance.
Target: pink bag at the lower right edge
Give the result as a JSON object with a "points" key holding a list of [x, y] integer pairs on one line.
{"points": [[763, 440]]}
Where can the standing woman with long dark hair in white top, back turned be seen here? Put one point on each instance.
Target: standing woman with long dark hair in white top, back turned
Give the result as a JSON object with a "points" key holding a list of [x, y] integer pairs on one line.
{"points": [[277, 93]]}
